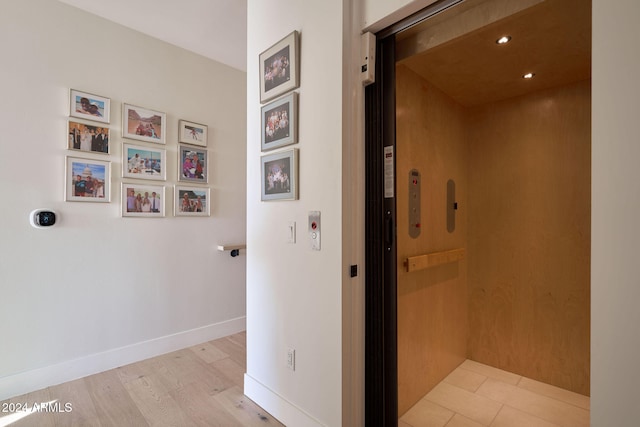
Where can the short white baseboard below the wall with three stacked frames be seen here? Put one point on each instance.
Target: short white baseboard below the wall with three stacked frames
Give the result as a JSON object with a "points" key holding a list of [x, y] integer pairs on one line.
{"points": [[286, 412]]}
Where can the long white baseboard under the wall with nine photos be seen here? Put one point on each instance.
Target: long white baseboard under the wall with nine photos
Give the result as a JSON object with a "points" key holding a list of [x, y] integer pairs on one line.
{"points": [[36, 379]]}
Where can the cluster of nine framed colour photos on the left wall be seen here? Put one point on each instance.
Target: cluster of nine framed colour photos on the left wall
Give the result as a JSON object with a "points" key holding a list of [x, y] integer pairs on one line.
{"points": [[145, 191]]}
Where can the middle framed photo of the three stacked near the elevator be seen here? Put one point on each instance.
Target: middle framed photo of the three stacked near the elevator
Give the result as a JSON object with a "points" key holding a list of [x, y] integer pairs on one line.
{"points": [[280, 122]]}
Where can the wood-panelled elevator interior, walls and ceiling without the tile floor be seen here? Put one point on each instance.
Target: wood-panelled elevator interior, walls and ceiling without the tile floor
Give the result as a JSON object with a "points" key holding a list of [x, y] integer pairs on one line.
{"points": [[490, 214]]}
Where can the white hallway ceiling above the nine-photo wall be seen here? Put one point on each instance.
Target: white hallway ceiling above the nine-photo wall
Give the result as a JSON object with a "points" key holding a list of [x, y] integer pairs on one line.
{"points": [[216, 29]]}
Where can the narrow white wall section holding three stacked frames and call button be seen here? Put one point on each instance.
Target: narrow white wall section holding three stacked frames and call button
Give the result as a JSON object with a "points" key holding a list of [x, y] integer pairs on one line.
{"points": [[294, 294]]}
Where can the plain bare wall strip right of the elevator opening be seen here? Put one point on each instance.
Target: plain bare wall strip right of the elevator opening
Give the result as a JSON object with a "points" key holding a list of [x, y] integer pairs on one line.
{"points": [[615, 271]]}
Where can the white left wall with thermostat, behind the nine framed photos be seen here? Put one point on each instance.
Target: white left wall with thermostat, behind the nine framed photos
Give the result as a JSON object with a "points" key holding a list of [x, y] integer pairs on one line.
{"points": [[98, 290]]}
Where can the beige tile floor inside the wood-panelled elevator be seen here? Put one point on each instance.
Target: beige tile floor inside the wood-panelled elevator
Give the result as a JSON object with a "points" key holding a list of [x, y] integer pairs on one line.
{"points": [[476, 395]]}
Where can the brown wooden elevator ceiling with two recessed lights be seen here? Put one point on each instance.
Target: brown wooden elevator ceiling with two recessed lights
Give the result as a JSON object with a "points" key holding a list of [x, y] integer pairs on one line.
{"points": [[551, 39]]}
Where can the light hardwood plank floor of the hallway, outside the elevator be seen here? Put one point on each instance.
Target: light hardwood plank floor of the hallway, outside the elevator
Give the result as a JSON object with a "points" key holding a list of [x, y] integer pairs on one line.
{"points": [[197, 386]]}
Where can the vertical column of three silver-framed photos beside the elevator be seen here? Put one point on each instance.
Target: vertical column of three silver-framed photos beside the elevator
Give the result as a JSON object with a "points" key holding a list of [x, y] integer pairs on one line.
{"points": [[279, 76]]}
